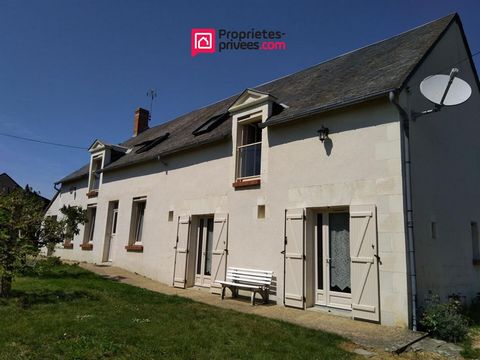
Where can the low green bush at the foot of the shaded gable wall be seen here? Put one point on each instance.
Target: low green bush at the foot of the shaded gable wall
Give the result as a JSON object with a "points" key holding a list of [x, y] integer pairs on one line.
{"points": [[444, 321]]}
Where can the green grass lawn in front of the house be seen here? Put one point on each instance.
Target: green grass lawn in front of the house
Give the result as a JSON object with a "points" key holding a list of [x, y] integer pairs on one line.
{"points": [[66, 312]]}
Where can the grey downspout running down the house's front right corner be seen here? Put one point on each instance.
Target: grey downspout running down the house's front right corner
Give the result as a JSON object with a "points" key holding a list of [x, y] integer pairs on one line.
{"points": [[405, 122]]}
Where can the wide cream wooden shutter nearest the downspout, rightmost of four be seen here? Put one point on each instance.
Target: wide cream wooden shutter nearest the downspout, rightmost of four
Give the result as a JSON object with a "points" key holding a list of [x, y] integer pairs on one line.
{"points": [[364, 262]]}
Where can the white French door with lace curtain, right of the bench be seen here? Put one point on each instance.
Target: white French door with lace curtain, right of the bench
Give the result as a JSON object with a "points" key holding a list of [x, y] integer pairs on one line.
{"points": [[333, 274]]}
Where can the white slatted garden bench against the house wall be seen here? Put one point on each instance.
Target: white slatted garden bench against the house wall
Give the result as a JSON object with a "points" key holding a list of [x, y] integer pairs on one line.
{"points": [[257, 281]]}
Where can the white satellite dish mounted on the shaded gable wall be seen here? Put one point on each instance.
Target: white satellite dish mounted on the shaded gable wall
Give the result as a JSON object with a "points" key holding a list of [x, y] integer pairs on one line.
{"points": [[444, 90]]}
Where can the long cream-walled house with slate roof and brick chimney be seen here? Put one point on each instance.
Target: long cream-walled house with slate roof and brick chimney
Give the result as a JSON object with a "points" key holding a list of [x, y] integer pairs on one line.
{"points": [[326, 177]]}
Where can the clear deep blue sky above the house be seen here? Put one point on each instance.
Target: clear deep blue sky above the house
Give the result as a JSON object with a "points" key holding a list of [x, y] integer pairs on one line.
{"points": [[74, 71]]}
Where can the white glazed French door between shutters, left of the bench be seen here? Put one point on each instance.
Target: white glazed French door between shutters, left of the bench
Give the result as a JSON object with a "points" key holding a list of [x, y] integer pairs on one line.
{"points": [[203, 259]]}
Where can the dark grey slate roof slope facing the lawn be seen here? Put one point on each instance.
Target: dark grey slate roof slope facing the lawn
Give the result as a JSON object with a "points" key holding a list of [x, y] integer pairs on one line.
{"points": [[356, 76]]}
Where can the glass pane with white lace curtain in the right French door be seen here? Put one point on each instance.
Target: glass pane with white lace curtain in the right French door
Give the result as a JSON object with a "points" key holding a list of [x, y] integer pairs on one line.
{"points": [[339, 230]]}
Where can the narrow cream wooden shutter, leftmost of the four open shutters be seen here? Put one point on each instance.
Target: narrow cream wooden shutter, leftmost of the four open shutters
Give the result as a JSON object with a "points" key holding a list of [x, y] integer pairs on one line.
{"points": [[181, 251]]}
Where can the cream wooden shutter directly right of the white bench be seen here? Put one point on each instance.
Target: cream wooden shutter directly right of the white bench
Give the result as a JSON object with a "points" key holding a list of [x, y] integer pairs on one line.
{"points": [[294, 288]]}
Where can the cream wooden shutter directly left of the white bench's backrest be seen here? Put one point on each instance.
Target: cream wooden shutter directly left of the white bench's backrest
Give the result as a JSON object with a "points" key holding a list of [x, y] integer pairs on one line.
{"points": [[219, 251]]}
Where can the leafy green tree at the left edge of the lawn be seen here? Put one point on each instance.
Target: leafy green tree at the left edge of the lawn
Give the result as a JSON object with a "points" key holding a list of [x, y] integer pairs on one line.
{"points": [[24, 231]]}
